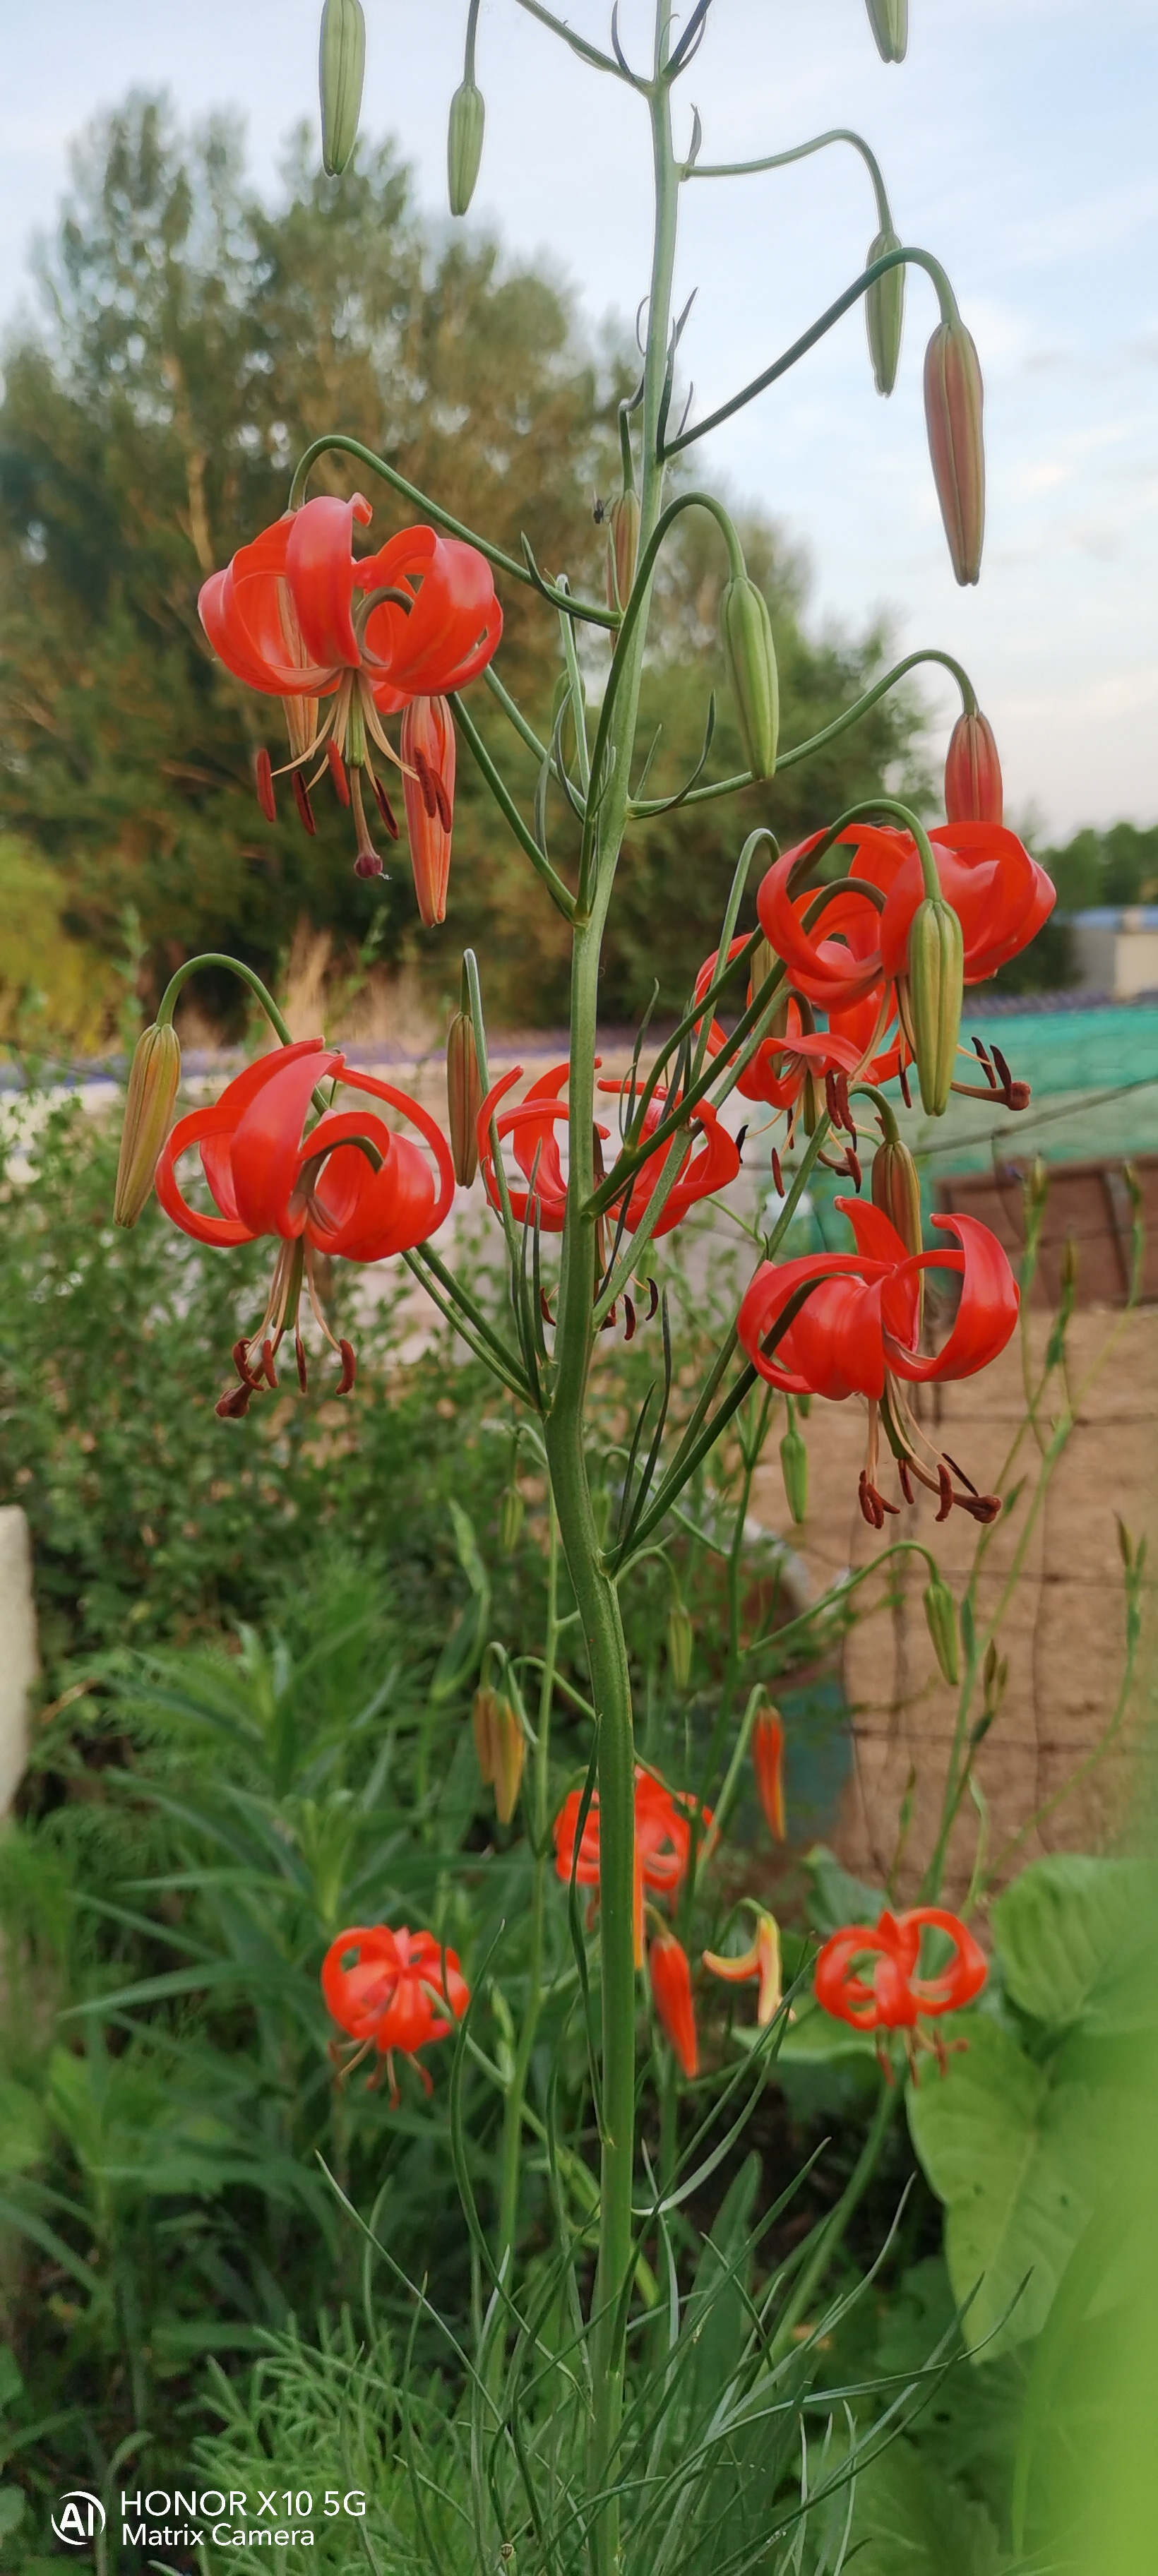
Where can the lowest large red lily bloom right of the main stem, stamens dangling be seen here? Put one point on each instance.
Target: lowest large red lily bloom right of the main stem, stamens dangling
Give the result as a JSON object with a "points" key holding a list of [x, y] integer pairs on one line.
{"points": [[858, 1333]]}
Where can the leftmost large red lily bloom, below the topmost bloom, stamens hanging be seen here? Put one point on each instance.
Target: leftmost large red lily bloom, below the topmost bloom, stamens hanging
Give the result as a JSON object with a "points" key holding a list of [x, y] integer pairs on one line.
{"points": [[346, 1186]]}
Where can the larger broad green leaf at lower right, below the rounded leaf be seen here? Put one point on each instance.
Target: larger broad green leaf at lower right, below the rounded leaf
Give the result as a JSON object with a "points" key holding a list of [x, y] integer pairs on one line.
{"points": [[1018, 2165]]}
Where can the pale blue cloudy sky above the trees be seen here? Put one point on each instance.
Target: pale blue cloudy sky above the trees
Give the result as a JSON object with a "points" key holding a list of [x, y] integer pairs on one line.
{"points": [[1018, 146]]}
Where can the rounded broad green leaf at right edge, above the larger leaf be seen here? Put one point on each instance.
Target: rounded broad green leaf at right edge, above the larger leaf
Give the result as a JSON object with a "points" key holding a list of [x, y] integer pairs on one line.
{"points": [[1072, 1933]]}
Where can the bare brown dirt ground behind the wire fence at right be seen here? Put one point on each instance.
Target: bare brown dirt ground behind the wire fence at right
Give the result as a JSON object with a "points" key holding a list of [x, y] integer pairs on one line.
{"points": [[1061, 1629]]}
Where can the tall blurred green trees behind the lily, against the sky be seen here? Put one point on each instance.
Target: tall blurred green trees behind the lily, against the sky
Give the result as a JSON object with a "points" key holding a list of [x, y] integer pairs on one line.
{"points": [[194, 344]]}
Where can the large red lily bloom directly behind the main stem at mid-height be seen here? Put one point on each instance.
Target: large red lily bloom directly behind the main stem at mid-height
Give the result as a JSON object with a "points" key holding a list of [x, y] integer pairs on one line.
{"points": [[537, 1153]]}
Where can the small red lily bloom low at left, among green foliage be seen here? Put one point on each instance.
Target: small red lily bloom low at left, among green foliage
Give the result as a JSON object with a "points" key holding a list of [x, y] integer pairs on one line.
{"points": [[392, 1990]]}
